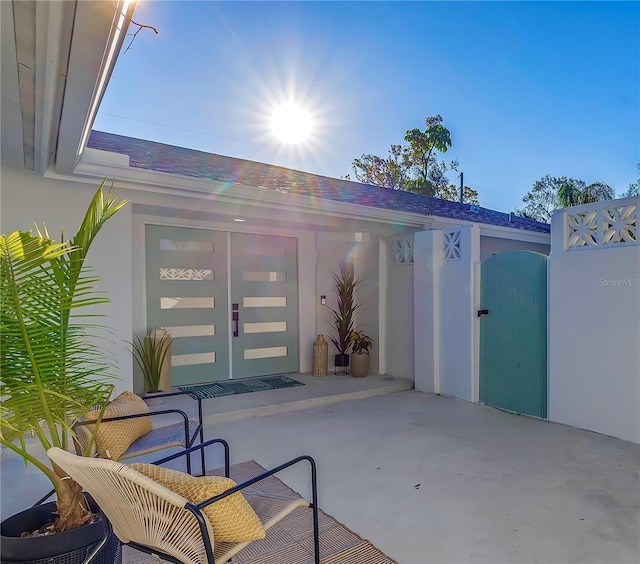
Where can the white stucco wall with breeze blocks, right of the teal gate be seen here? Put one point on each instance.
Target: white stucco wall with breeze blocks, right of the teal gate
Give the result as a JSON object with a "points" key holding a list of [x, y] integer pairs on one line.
{"points": [[594, 325]]}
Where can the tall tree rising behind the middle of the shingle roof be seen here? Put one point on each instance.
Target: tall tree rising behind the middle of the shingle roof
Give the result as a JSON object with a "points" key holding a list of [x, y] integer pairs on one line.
{"points": [[414, 166]]}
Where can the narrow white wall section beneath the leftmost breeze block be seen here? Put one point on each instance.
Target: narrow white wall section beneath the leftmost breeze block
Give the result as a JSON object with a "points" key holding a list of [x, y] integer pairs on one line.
{"points": [[399, 312]]}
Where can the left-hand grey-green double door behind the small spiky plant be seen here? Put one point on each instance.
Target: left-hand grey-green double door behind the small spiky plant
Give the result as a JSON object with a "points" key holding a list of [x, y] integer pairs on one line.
{"points": [[187, 295]]}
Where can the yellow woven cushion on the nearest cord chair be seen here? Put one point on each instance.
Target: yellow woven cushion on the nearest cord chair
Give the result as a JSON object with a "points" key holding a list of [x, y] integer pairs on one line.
{"points": [[232, 518]]}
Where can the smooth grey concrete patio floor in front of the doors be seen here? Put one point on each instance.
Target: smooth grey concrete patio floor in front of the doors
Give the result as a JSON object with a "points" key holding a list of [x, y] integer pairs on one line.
{"points": [[429, 479]]}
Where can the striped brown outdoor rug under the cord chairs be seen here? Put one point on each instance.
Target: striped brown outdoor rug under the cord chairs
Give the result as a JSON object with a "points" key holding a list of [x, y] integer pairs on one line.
{"points": [[291, 540]]}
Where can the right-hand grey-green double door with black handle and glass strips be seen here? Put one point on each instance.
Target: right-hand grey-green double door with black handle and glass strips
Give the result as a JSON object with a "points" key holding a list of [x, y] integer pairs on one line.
{"points": [[264, 305]]}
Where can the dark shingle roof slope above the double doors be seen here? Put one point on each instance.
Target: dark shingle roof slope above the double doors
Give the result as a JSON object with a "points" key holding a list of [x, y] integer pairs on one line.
{"points": [[160, 157]]}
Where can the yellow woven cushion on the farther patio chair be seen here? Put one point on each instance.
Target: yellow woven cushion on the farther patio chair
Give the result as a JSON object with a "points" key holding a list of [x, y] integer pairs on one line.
{"points": [[115, 437]]}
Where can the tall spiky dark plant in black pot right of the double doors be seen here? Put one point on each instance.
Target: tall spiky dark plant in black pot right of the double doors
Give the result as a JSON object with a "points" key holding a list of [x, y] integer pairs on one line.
{"points": [[343, 316]]}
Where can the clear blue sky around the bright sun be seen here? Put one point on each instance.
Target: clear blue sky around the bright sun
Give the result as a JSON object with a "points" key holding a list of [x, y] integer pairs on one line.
{"points": [[525, 88]]}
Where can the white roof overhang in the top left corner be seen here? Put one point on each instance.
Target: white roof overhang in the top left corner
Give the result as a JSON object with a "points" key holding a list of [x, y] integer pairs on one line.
{"points": [[57, 58]]}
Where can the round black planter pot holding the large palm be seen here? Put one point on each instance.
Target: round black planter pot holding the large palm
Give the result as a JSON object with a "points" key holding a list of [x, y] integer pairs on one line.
{"points": [[69, 547]]}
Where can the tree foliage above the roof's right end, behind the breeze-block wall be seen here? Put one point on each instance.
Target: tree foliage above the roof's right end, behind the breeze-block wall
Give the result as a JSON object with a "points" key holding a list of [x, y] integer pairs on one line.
{"points": [[553, 192]]}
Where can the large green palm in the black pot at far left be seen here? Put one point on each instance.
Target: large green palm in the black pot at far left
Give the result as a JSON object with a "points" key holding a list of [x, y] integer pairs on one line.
{"points": [[53, 367]]}
